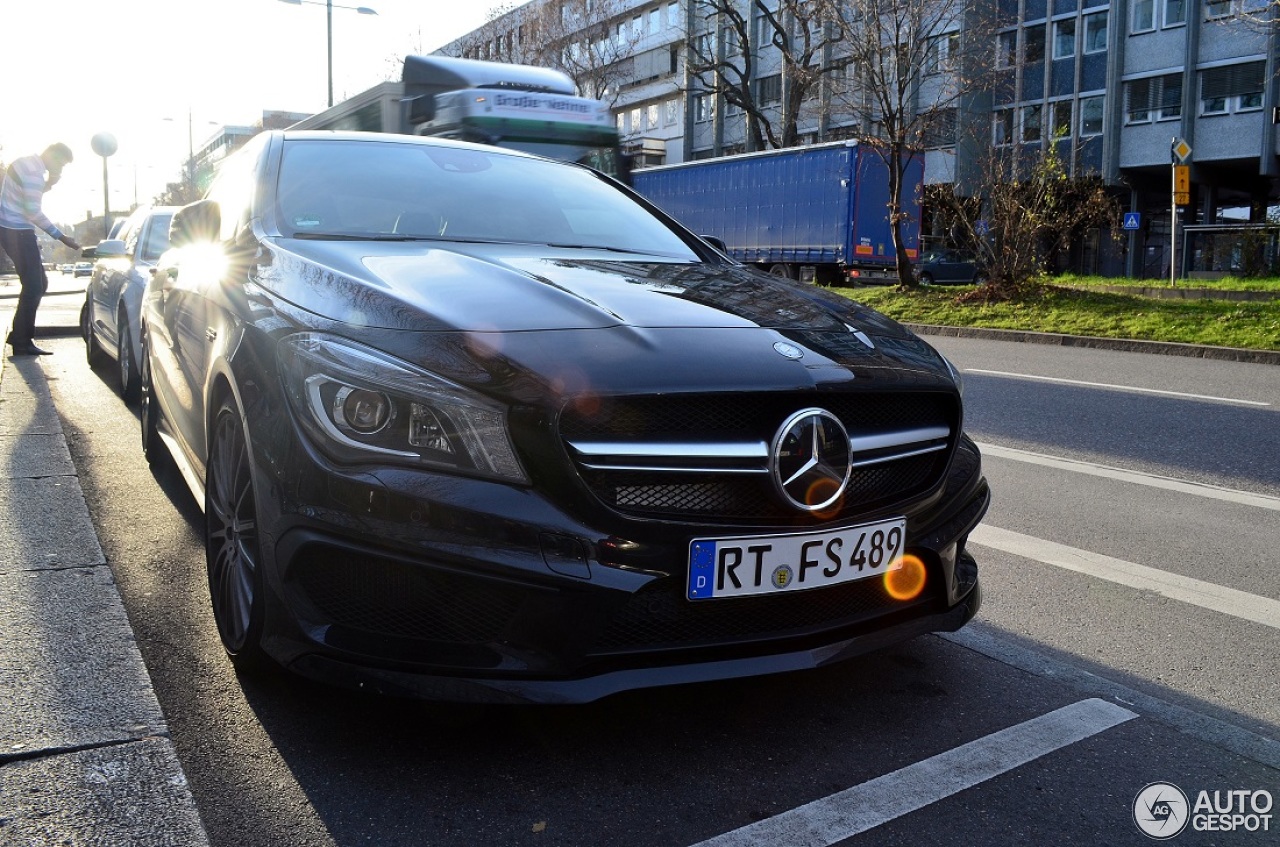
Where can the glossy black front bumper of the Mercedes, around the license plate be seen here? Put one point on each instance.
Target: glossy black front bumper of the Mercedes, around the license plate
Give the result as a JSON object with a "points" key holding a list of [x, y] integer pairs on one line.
{"points": [[454, 589]]}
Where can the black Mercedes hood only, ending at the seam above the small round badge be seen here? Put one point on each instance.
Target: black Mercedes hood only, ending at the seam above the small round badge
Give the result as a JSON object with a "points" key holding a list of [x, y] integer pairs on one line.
{"points": [[527, 287]]}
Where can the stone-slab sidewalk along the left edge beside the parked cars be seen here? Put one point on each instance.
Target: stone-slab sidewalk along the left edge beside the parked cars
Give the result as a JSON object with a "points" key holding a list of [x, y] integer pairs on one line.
{"points": [[85, 752]]}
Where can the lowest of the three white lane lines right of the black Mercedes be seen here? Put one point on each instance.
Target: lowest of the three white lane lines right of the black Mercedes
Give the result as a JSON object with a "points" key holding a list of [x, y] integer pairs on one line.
{"points": [[1238, 605]]}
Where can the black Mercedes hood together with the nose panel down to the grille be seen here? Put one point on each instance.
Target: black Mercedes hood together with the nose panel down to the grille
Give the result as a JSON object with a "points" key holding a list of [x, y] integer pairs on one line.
{"points": [[584, 319]]}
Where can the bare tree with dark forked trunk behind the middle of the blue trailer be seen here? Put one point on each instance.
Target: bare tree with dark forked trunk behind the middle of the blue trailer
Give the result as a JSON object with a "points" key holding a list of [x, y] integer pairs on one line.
{"points": [[730, 56]]}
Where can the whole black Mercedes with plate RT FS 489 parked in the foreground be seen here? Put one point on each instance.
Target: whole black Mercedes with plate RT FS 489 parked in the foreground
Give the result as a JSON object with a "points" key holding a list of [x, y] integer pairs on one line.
{"points": [[472, 424]]}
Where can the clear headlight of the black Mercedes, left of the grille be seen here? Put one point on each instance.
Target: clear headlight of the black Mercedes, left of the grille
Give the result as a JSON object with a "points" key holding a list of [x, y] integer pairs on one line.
{"points": [[360, 405]]}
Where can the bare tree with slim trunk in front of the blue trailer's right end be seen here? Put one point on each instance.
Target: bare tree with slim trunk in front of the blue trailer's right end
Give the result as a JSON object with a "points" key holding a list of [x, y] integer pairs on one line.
{"points": [[908, 65]]}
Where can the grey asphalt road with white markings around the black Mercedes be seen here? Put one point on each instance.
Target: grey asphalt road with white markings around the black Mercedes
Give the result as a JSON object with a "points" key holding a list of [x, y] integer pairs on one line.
{"points": [[1131, 635]]}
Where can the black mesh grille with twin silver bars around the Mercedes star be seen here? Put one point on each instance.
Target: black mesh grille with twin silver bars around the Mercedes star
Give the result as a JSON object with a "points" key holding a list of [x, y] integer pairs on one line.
{"points": [[707, 457]]}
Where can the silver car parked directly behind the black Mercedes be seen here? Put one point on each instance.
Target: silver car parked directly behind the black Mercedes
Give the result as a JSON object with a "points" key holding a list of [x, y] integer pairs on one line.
{"points": [[109, 319]]}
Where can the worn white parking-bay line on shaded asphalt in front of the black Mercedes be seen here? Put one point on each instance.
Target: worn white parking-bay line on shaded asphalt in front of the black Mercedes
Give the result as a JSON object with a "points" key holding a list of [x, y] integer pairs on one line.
{"points": [[877, 802]]}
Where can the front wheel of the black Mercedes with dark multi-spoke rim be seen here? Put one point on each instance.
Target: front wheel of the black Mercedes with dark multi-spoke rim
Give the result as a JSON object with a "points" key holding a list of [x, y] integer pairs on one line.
{"points": [[232, 543]]}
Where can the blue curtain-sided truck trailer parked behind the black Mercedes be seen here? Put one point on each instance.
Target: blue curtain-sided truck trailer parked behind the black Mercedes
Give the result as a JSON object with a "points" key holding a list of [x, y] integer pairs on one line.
{"points": [[816, 214]]}
